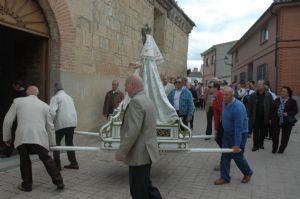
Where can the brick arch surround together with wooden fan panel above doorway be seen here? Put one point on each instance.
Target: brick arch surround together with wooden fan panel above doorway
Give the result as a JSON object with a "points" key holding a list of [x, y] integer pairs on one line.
{"points": [[47, 18]]}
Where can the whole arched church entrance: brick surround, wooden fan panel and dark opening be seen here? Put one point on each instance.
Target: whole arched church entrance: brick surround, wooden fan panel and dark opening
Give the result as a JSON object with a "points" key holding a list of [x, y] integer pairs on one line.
{"points": [[46, 33]]}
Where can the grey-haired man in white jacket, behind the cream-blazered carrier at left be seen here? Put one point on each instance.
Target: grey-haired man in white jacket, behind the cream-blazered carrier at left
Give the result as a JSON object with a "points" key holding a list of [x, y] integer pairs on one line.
{"points": [[64, 115]]}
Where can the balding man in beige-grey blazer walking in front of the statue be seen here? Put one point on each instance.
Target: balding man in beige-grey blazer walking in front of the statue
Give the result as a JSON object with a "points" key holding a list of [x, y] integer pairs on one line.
{"points": [[138, 146]]}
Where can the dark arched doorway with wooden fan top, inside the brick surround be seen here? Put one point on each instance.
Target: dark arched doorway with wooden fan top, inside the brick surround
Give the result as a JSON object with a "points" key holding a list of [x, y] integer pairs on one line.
{"points": [[24, 38]]}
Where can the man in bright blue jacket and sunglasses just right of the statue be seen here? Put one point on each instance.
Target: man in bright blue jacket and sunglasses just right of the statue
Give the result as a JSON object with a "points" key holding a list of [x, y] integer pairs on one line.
{"points": [[182, 100]]}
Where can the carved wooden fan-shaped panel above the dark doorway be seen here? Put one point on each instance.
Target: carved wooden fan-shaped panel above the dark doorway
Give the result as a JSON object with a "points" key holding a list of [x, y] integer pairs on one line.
{"points": [[25, 15]]}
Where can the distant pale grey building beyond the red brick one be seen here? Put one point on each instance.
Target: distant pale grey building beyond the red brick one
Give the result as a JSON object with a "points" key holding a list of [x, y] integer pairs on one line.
{"points": [[214, 62]]}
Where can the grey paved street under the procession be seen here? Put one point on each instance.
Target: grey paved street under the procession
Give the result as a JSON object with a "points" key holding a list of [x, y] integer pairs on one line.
{"points": [[178, 175]]}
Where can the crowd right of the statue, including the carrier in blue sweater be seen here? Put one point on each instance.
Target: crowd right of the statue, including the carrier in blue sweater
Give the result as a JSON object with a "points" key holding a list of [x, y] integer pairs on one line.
{"points": [[239, 111]]}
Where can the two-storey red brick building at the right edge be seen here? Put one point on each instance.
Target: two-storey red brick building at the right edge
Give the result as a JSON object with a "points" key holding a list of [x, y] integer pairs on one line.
{"points": [[270, 49]]}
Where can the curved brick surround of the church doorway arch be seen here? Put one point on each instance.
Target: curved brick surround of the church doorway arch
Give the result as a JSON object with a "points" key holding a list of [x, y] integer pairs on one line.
{"points": [[62, 37]]}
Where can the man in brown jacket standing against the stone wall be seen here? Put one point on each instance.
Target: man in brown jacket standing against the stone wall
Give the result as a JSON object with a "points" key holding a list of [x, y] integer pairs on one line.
{"points": [[112, 99]]}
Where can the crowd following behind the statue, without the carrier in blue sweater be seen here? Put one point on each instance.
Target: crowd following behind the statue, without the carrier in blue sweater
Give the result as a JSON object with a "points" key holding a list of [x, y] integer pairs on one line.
{"points": [[266, 112]]}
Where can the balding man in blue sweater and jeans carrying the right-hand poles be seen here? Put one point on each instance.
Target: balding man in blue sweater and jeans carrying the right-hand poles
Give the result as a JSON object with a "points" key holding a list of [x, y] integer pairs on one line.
{"points": [[235, 124]]}
